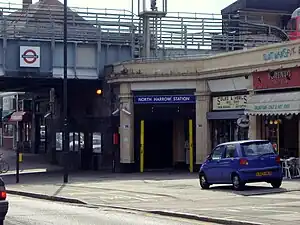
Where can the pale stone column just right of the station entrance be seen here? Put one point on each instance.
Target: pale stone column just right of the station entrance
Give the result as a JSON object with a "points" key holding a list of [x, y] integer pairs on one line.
{"points": [[203, 137]]}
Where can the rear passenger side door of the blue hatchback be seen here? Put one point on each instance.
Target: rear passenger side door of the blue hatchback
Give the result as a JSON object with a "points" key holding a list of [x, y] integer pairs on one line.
{"points": [[227, 162]]}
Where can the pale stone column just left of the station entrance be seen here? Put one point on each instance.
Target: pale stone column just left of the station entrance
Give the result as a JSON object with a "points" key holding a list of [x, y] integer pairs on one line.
{"points": [[126, 127]]}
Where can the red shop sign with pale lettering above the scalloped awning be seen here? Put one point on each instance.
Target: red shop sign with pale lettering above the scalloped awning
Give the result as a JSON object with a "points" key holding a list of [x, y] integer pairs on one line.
{"points": [[285, 78]]}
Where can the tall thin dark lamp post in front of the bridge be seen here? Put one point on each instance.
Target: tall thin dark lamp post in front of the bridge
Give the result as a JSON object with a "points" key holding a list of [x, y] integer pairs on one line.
{"points": [[65, 97]]}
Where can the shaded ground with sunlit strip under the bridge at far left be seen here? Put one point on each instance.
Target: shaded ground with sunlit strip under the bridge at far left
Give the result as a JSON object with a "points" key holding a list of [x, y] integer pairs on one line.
{"points": [[32, 163]]}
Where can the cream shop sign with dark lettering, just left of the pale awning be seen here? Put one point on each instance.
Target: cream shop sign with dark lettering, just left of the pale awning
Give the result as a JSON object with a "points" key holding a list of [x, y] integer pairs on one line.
{"points": [[230, 102]]}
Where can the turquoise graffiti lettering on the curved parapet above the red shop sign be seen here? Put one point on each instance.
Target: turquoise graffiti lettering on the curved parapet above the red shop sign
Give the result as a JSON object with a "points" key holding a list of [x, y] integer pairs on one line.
{"points": [[282, 53]]}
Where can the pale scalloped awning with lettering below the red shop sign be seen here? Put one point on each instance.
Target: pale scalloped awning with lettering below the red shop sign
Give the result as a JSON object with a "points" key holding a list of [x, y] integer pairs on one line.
{"points": [[274, 104]]}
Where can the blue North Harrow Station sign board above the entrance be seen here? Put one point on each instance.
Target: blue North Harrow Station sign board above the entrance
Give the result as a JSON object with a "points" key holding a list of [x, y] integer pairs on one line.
{"points": [[164, 99]]}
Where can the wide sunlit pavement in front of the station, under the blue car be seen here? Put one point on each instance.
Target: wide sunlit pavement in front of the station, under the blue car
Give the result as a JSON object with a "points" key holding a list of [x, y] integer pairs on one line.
{"points": [[171, 194]]}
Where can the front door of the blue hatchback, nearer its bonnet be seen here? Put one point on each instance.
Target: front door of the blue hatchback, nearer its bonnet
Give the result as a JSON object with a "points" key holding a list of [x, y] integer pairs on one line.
{"points": [[213, 171]]}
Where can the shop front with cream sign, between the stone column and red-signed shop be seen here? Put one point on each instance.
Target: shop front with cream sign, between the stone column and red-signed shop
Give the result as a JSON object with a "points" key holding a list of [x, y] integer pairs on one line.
{"points": [[227, 119]]}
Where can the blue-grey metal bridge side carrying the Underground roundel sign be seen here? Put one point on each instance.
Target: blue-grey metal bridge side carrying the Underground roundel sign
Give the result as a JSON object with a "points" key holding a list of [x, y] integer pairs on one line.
{"points": [[44, 58]]}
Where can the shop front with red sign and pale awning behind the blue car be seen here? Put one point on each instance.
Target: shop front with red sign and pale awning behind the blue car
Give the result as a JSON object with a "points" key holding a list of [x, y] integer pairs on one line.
{"points": [[274, 109]]}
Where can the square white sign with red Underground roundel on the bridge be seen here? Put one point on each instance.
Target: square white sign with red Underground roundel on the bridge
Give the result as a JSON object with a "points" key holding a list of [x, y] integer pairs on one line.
{"points": [[30, 56]]}
